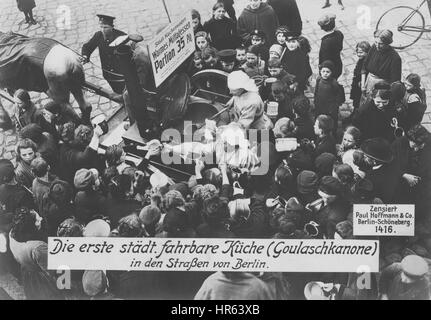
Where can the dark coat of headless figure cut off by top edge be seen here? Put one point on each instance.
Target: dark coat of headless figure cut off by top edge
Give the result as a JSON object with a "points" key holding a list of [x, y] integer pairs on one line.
{"points": [[288, 14]]}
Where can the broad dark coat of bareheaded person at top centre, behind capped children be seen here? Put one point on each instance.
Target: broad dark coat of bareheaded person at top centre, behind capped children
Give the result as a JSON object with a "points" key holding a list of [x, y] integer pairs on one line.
{"points": [[263, 19]]}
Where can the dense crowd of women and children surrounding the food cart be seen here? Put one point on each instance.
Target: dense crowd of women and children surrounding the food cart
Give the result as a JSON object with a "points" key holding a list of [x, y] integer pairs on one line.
{"points": [[318, 167]]}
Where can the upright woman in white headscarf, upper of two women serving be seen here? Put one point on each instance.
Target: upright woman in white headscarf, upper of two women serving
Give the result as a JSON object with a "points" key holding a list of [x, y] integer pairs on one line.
{"points": [[248, 107]]}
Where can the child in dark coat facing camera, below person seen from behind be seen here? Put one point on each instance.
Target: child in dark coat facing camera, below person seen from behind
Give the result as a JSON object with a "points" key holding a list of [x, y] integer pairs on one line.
{"points": [[329, 94]]}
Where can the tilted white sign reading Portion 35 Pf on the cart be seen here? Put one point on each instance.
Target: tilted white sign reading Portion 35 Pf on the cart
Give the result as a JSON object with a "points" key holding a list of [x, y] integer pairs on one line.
{"points": [[171, 47]]}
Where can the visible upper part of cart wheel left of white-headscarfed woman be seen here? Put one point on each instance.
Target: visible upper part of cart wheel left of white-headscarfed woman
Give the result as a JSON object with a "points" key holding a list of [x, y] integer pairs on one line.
{"points": [[211, 80]]}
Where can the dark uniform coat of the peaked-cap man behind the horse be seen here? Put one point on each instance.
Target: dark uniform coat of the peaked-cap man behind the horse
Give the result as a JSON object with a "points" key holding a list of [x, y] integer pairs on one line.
{"points": [[106, 53]]}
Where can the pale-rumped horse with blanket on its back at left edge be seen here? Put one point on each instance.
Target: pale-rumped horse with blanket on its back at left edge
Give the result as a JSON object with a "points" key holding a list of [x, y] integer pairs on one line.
{"points": [[41, 65]]}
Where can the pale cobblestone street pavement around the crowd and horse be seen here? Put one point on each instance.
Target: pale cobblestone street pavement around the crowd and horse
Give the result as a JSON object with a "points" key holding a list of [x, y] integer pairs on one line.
{"points": [[73, 22]]}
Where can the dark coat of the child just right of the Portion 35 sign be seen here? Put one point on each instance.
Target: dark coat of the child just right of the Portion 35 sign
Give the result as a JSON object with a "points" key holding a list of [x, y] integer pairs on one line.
{"points": [[223, 33]]}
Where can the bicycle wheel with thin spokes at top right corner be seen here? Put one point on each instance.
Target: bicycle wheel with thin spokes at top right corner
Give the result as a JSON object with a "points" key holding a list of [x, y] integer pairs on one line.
{"points": [[406, 23]]}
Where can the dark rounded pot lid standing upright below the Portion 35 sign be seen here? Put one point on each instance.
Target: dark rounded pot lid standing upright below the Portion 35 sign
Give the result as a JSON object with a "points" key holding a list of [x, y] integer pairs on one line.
{"points": [[174, 99]]}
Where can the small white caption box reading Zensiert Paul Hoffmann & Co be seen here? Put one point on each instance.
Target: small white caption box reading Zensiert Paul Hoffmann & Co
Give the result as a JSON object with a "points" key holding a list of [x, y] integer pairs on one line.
{"points": [[384, 220]]}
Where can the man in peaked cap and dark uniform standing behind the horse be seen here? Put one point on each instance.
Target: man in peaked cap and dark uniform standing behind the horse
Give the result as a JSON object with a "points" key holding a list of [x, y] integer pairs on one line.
{"points": [[101, 40]]}
